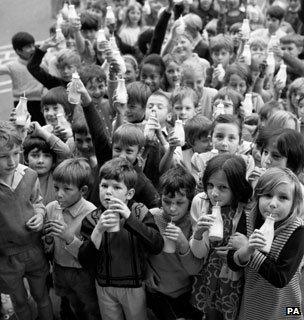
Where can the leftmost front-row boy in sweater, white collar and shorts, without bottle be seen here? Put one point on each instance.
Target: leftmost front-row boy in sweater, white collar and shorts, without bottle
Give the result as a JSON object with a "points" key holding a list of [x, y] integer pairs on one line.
{"points": [[22, 213]]}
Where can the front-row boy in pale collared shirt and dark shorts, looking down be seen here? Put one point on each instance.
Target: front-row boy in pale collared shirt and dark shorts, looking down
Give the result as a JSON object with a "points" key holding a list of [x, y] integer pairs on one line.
{"points": [[62, 232]]}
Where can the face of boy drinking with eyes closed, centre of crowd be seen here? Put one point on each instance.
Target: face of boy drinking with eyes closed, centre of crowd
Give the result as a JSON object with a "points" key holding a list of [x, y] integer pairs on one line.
{"points": [[160, 105]]}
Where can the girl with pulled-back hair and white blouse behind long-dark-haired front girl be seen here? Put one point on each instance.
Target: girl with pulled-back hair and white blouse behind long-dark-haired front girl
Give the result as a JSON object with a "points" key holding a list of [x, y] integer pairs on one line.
{"points": [[226, 138]]}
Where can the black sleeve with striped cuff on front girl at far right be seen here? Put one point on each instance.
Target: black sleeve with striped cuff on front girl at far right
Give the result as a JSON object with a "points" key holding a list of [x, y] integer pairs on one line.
{"points": [[280, 272]]}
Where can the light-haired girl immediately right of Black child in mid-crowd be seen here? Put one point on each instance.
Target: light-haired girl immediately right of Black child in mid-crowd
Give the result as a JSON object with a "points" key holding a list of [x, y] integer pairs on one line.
{"points": [[172, 74]]}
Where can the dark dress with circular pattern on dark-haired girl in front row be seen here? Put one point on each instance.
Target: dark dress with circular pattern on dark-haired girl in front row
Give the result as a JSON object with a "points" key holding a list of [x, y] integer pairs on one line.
{"points": [[217, 287]]}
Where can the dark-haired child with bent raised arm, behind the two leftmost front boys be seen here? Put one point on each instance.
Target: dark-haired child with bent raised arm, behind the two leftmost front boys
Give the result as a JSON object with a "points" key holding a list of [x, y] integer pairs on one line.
{"points": [[42, 151]]}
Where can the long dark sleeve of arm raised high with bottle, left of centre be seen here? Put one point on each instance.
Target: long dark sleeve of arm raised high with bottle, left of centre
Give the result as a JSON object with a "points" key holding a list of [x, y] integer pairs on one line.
{"points": [[103, 150]]}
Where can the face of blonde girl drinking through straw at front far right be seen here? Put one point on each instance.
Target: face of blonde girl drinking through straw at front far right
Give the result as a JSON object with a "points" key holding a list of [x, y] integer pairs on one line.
{"points": [[278, 202]]}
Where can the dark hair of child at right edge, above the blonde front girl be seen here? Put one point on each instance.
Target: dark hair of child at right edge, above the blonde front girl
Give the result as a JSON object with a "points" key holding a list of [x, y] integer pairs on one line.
{"points": [[289, 143]]}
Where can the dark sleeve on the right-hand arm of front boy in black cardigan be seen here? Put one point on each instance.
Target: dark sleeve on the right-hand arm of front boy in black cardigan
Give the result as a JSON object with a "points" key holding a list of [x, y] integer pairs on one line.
{"points": [[147, 231]]}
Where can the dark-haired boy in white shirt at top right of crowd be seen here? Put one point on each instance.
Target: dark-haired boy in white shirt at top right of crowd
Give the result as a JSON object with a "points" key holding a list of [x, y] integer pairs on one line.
{"points": [[274, 18]]}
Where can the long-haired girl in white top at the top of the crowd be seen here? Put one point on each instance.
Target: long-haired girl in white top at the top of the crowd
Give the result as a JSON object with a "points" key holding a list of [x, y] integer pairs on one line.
{"points": [[132, 25]]}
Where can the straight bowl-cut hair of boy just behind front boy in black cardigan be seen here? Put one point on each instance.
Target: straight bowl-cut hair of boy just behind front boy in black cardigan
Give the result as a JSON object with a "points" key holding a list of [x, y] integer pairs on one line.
{"points": [[129, 134]]}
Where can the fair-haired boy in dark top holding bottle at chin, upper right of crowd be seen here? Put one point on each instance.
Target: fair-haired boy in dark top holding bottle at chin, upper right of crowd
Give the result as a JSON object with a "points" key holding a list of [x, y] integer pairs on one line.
{"points": [[221, 51]]}
